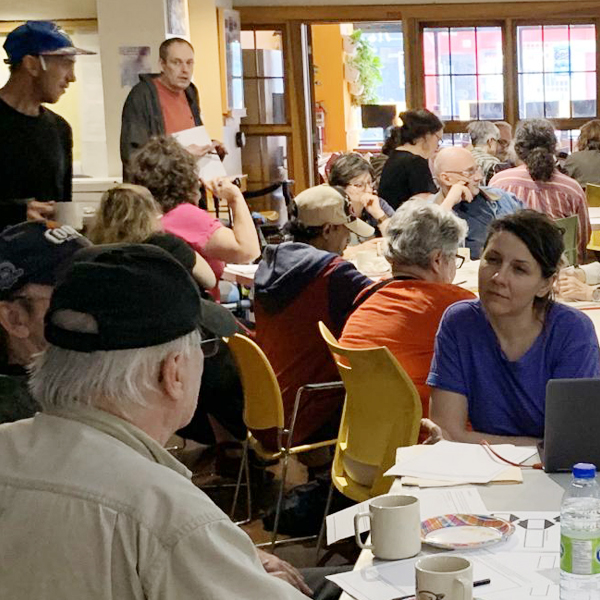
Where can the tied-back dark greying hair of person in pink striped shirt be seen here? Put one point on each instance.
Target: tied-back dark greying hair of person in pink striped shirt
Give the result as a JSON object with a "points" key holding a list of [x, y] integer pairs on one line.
{"points": [[535, 145]]}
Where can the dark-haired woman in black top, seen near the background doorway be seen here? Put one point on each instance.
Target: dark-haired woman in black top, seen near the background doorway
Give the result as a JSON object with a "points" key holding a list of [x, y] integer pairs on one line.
{"points": [[406, 172]]}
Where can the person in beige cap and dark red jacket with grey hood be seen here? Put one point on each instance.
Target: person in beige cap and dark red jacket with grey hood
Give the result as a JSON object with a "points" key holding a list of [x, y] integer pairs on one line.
{"points": [[298, 284]]}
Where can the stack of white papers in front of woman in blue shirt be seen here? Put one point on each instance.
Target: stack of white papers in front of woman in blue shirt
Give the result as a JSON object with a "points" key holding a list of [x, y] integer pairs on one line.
{"points": [[453, 461]]}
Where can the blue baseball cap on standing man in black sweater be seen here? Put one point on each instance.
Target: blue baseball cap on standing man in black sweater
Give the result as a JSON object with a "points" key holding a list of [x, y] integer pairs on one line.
{"points": [[39, 37]]}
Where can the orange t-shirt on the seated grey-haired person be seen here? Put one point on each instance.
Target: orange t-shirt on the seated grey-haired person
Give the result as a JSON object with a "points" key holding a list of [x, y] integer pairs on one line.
{"points": [[404, 316]]}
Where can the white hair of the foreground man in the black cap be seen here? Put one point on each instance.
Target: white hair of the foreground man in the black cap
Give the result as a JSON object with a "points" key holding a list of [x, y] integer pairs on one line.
{"points": [[118, 379]]}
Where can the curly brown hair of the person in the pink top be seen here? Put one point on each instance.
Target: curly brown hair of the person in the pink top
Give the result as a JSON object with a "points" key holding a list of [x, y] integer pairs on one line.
{"points": [[168, 170]]}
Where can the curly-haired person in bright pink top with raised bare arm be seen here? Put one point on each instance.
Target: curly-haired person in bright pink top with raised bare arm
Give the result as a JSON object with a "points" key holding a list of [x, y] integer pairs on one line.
{"points": [[170, 172]]}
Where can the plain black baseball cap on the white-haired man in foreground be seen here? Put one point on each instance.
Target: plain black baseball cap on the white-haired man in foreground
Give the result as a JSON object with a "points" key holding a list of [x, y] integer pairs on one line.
{"points": [[139, 296]]}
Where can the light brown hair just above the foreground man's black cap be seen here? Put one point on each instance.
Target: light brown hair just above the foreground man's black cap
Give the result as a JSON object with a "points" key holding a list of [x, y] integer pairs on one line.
{"points": [[127, 213]]}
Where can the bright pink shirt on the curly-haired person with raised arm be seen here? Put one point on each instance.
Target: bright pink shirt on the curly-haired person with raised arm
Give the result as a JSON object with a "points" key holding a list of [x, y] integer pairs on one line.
{"points": [[195, 226]]}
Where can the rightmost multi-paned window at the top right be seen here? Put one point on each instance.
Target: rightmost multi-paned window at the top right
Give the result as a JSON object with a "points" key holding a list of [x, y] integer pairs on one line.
{"points": [[557, 71]]}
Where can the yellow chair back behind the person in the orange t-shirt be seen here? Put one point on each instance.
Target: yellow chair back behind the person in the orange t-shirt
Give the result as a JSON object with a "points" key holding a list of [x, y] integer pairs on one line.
{"points": [[382, 412]]}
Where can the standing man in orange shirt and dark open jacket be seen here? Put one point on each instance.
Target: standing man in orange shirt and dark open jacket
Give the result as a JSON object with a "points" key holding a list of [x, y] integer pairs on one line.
{"points": [[164, 103]]}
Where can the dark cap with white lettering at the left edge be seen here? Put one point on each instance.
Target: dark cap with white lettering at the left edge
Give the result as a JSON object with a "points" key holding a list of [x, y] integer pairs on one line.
{"points": [[35, 252]]}
